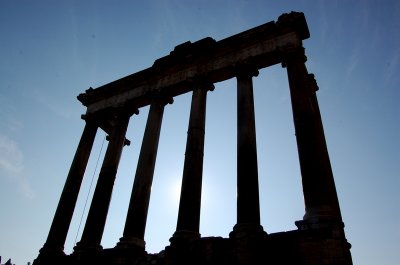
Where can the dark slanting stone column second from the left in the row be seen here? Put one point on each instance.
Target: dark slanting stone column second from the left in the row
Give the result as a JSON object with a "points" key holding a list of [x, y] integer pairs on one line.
{"points": [[94, 227]]}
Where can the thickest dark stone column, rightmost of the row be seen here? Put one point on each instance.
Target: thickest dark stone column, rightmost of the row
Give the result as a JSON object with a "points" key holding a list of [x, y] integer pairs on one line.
{"points": [[321, 202]]}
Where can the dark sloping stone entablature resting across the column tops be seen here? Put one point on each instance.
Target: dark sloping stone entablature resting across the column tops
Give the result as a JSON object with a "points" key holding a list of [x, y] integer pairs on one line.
{"points": [[216, 60]]}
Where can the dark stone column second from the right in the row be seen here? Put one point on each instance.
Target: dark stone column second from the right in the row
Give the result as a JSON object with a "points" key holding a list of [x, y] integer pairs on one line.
{"points": [[248, 206]]}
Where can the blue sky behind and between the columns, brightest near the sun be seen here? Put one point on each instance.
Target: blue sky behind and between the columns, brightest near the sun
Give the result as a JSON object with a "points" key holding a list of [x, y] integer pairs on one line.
{"points": [[50, 51]]}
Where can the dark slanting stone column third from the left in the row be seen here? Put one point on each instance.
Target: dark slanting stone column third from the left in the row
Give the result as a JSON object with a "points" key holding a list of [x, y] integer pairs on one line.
{"points": [[135, 224]]}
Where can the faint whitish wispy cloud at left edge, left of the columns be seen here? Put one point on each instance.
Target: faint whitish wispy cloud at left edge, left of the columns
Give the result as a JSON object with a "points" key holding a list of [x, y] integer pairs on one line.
{"points": [[12, 164]]}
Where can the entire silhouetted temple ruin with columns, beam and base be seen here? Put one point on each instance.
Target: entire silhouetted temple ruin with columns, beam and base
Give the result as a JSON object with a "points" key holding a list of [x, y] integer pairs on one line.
{"points": [[195, 67]]}
